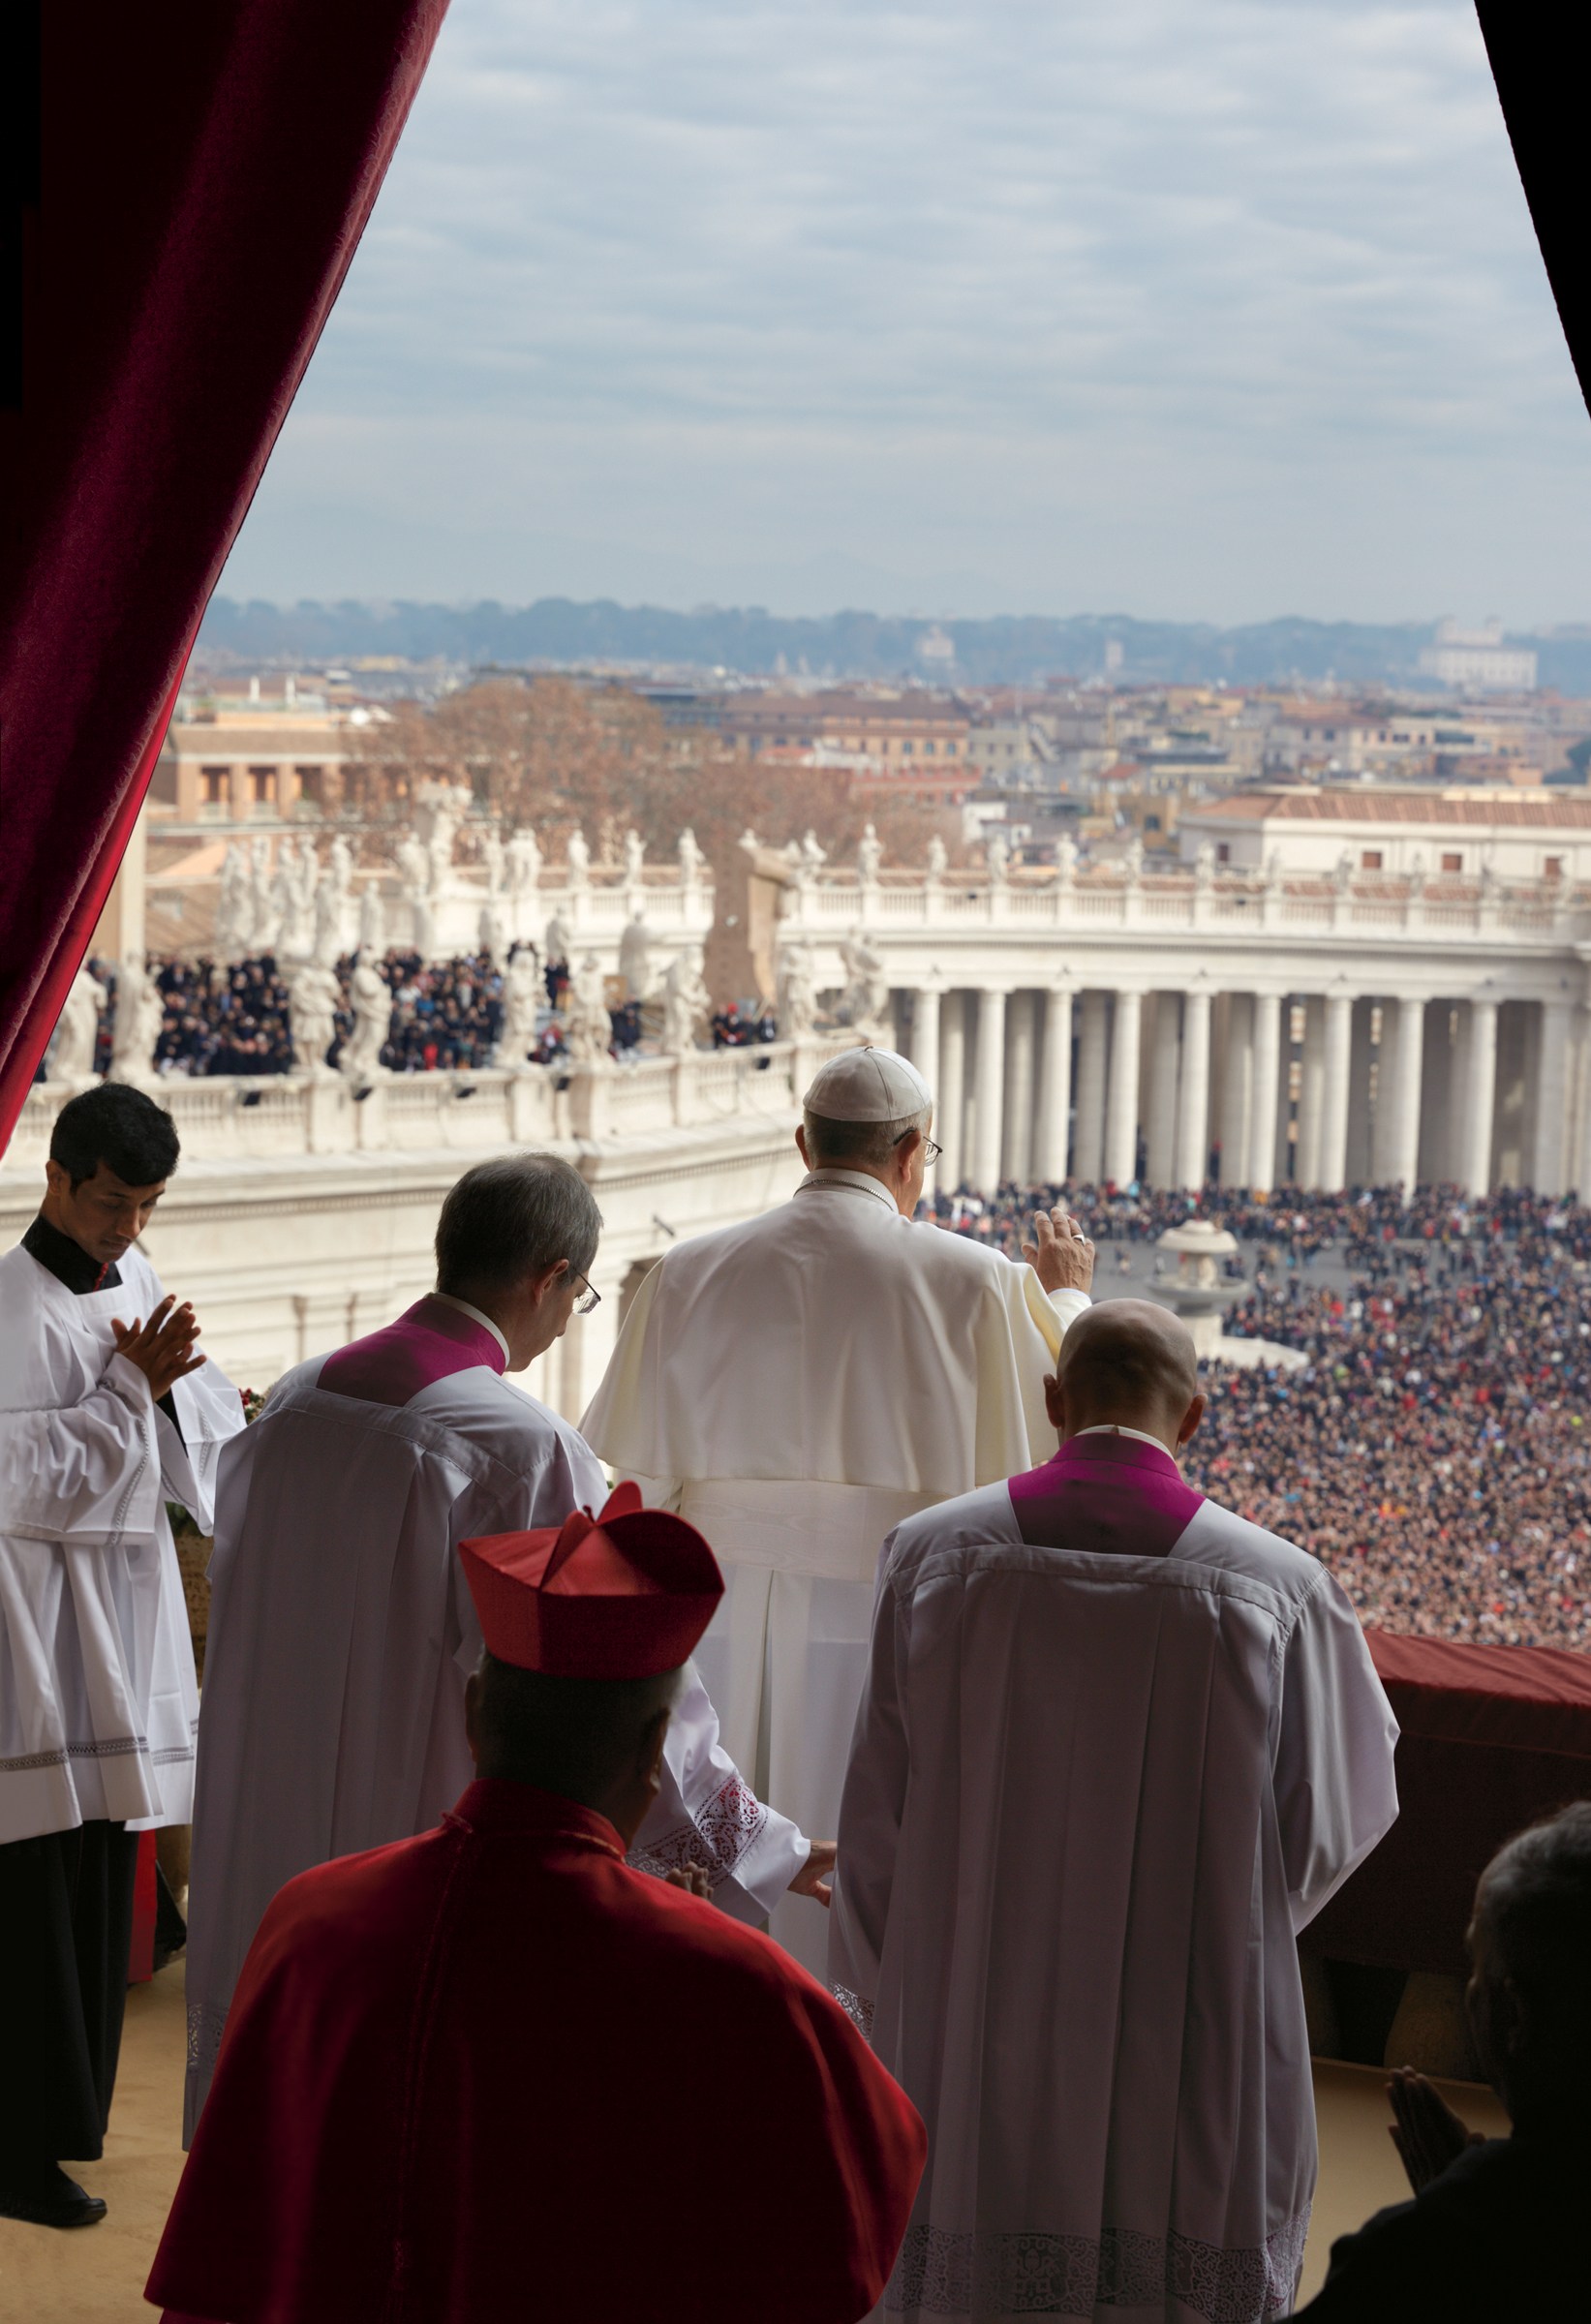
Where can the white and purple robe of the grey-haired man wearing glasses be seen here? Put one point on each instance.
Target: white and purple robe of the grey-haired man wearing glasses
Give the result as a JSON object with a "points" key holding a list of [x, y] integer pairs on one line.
{"points": [[343, 1635]]}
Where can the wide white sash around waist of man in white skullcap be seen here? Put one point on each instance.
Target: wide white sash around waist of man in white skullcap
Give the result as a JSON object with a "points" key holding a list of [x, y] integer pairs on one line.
{"points": [[800, 1526]]}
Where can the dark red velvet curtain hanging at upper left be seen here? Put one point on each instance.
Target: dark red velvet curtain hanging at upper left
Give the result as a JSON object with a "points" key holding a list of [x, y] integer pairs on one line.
{"points": [[185, 189]]}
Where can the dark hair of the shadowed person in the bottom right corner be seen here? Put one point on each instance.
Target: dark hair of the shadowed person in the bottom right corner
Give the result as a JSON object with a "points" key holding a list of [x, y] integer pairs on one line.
{"points": [[1536, 1902]]}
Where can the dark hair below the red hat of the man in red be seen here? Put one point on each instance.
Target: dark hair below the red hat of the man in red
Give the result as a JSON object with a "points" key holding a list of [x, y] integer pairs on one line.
{"points": [[566, 1735]]}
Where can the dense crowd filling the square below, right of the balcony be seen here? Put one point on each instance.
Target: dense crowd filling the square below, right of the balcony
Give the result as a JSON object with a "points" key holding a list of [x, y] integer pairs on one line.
{"points": [[1446, 1386]]}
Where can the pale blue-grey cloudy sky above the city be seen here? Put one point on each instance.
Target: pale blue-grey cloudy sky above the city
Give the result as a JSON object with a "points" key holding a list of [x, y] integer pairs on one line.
{"points": [[1174, 308]]}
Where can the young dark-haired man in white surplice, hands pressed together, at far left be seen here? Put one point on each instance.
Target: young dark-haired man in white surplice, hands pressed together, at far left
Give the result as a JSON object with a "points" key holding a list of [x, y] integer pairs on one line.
{"points": [[108, 1412]]}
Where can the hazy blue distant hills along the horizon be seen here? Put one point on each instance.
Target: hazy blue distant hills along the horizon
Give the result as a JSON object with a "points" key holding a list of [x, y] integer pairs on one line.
{"points": [[751, 643]]}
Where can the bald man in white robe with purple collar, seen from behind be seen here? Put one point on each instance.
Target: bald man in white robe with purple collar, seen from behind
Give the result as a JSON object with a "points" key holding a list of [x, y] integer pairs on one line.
{"points": [[1116, 1749]]}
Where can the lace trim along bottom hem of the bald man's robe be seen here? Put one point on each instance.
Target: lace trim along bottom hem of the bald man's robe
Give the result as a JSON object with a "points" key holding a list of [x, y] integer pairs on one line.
{"points": [[984, 2276]]}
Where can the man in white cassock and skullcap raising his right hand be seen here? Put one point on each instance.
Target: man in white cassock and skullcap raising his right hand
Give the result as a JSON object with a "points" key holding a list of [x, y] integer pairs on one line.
{"points": [[805, 1382]]}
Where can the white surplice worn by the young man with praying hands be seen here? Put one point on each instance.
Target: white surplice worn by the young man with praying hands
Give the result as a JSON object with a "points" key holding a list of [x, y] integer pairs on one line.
{"points": [[99, 1702]]}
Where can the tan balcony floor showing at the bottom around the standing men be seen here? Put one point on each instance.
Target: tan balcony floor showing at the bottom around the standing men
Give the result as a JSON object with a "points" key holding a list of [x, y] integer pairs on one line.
{"points": [[96, 2276]]}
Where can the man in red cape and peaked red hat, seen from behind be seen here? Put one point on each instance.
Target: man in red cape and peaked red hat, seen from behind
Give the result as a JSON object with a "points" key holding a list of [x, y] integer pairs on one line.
{"points": [[494, 2072]]}
